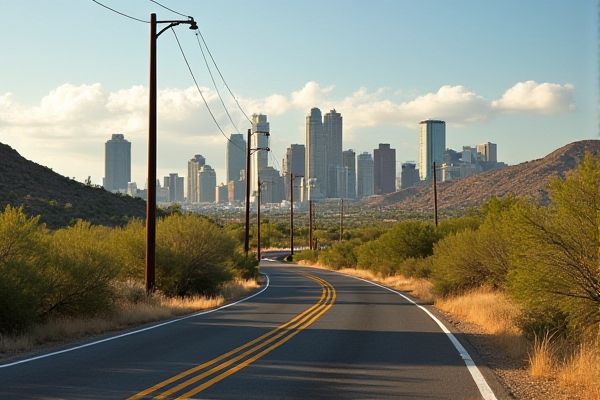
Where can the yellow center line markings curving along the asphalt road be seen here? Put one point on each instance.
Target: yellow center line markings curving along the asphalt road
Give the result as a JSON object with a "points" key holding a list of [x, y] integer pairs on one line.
{"points": [[188, 383]]}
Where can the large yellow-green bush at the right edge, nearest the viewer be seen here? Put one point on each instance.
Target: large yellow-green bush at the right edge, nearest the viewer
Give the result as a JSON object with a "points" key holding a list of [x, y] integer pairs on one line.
{"points": [[556, 257]]}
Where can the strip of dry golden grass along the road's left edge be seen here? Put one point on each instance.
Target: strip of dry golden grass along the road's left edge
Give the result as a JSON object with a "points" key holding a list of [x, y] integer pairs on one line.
{"points": [[133, 308]]}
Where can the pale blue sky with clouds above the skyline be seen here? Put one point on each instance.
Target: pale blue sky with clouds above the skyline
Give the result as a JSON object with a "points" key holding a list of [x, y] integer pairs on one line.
{"points": [[522, 74]]}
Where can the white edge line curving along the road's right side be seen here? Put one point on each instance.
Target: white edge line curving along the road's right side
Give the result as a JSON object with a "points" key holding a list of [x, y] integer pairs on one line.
{"points": [[480, 381]]}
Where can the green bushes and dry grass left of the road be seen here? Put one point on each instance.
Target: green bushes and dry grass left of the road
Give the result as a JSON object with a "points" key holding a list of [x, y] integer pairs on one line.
{"points": [[85, 279]]}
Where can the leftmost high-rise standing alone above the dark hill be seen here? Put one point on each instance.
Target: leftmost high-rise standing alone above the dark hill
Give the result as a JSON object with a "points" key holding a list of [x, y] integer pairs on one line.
{"points": [[117, 164]]}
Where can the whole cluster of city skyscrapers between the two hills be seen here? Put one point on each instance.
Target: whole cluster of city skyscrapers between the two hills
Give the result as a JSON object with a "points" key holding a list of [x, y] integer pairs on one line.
{"points": [[320, 169]]}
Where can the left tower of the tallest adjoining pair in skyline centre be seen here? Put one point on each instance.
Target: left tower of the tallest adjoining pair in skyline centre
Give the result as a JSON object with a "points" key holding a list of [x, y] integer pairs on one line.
{"points": [[316, 153]]}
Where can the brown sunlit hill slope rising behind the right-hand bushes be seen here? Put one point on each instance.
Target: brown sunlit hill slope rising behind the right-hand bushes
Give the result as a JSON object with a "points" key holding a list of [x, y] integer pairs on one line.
{"points": [[528, 179]]}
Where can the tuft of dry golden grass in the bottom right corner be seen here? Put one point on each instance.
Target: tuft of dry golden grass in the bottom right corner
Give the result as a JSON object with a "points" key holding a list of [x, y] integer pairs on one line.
{"points": [[581, 372]]}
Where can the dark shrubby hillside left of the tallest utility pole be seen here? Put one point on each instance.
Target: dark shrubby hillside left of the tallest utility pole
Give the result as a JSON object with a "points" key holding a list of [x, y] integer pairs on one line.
{"points": [[59, 200]]}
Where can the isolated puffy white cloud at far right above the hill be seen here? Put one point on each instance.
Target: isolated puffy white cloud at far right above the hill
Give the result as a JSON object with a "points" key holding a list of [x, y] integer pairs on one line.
{"points": [[530, 96]]}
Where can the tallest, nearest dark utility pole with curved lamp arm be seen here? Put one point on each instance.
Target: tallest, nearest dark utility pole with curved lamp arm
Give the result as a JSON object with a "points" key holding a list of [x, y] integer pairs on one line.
{"points": [[151, 186]]}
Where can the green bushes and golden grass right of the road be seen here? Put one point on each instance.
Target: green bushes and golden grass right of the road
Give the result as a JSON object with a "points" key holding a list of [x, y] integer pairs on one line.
{"points": [[525, 273]]}
